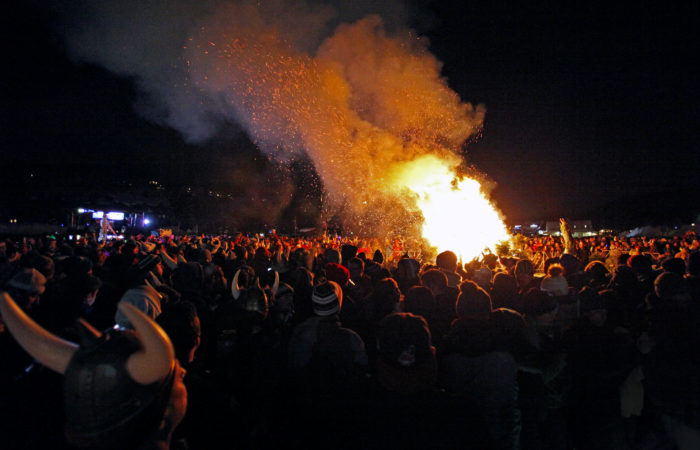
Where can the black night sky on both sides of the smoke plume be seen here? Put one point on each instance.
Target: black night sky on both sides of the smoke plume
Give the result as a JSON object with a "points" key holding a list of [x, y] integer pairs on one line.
{"points": [[589, 110]]}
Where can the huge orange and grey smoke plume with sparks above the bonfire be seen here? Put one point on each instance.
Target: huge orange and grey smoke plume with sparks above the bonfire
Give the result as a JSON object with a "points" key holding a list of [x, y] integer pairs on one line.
{"points": [[356, 95]]}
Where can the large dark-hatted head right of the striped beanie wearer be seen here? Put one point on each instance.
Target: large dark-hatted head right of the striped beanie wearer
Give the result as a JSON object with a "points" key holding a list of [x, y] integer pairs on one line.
{"points": [[405, 354]]}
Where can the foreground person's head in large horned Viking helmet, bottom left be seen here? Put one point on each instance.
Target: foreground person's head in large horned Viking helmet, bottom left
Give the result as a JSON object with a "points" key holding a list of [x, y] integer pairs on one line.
{"points": [[120, 387]]}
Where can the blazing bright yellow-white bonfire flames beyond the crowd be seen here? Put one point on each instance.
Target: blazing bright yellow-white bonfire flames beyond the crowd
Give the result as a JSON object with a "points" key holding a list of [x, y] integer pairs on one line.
{"points": [[457, 215]]}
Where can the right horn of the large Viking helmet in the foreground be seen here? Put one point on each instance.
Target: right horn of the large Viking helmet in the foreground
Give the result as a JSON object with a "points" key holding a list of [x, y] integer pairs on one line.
{"points": [[157, 357]]}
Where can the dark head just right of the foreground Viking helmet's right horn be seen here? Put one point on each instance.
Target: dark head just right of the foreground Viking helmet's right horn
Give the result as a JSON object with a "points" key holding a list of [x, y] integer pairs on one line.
{"points": [[181, 323]]}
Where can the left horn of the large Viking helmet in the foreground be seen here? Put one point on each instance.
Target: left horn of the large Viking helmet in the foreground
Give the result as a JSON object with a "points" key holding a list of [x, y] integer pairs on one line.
{"points": [[51, 351]]}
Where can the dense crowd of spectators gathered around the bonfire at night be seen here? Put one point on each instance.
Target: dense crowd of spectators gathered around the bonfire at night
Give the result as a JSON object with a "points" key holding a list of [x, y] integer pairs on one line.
{"points": [[273, 341]]}
